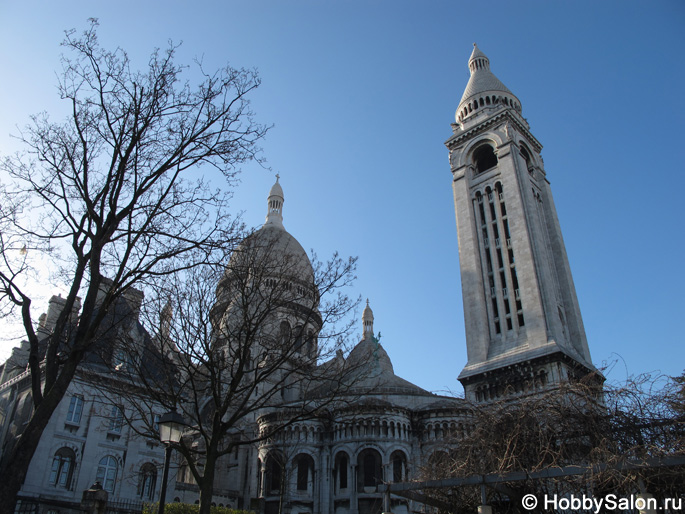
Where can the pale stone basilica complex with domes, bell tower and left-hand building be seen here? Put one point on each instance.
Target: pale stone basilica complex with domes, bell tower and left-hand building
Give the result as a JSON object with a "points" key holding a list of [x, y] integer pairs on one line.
{"points": [[524, 333]]}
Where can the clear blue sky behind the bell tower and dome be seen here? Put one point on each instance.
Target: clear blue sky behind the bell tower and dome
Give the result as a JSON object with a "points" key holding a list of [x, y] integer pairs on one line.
{"points": [[361, 95]]}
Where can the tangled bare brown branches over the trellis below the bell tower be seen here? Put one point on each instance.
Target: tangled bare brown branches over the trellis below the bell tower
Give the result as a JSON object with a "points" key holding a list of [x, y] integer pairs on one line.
{"points": [[570, 440]]}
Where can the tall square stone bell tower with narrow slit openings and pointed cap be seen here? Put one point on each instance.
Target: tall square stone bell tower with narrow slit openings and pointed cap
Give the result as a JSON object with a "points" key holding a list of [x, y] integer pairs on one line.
{"points": [[524, 329]]}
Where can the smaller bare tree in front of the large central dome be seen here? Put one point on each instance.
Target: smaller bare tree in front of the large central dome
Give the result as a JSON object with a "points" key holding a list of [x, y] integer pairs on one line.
{"points": [[268, 338]]}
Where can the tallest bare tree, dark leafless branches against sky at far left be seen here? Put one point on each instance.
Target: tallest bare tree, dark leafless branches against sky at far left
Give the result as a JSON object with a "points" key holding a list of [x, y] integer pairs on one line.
{"points": [[113, 192]]}
